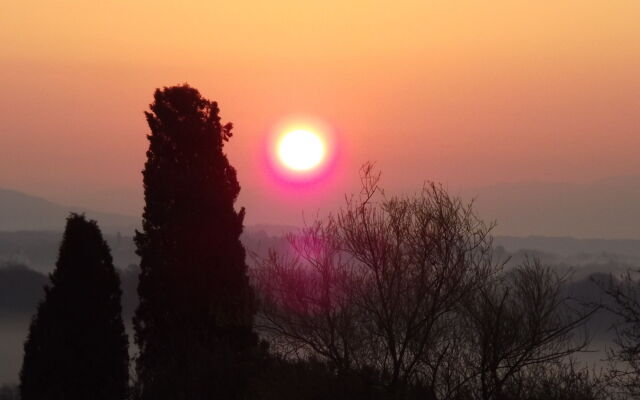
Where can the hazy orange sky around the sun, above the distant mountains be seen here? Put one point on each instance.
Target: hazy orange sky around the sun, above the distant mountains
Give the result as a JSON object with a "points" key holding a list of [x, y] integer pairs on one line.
{"points": [[469, 93]]}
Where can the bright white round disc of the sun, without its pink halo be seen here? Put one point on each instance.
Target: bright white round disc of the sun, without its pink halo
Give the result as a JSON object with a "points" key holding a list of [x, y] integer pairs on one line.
{"points": [[301, 150]]}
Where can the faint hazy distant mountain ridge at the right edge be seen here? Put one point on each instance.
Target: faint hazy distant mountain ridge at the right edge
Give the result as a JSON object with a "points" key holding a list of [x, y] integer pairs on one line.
{"points": [[608, 208]]}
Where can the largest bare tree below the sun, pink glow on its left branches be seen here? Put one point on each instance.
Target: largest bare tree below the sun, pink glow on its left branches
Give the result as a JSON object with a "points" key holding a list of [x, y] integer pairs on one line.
{"points": [[375, 285]]}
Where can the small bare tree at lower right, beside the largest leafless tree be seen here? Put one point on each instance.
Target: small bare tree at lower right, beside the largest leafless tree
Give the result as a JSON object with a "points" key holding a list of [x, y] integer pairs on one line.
{"points": [[521, 320]]}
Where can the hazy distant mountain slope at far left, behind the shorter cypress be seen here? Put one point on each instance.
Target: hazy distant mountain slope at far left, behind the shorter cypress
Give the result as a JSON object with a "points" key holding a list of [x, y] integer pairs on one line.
{"points": [[22, 212]]}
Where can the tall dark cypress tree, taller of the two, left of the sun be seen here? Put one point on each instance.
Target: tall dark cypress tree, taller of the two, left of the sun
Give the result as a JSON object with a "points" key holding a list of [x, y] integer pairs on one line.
{"points": [[194, 321]]}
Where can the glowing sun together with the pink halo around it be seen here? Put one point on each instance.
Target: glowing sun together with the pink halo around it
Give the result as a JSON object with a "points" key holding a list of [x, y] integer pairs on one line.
{"points": [[301, 152]]}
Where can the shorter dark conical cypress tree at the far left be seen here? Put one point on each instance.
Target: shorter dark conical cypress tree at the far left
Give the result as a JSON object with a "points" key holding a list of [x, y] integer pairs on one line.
{"points": [[77, 347]]}
